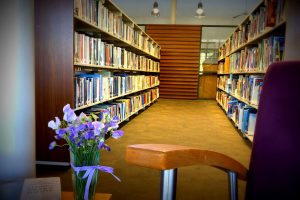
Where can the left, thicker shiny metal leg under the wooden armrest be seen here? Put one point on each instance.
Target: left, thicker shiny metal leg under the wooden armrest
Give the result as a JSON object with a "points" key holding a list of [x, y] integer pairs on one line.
{"points": [[168, 184]]}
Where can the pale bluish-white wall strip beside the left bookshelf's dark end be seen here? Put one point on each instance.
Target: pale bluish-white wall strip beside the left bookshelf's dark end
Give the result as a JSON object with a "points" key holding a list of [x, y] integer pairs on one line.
{"points": [[17, 107]]}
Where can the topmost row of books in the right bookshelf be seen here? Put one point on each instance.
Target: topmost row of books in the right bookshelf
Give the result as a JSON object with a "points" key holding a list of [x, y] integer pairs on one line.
{"points": [[269, 14]]}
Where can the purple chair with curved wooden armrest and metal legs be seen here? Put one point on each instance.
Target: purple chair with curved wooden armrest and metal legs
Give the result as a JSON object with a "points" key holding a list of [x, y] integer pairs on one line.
{"points": [[274, 171]]}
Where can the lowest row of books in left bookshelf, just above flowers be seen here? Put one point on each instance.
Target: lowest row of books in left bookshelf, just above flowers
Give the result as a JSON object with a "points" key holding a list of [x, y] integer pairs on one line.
{"points": [[125, 107]]}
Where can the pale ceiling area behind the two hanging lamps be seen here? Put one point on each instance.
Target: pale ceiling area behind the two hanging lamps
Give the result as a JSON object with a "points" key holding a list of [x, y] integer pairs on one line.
{"points": [[218, 12]]}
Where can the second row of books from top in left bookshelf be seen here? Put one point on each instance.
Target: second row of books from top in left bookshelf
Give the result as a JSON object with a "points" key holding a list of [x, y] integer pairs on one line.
{"points": [[91, 50]]}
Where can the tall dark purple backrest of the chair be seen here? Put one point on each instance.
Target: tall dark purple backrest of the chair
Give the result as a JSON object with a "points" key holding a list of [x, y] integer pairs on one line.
{"points": [[274, 171]]}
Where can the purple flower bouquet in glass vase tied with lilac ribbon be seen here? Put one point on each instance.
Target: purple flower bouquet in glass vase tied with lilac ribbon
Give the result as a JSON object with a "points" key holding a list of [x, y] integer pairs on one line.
{"points": [[85, 136]]}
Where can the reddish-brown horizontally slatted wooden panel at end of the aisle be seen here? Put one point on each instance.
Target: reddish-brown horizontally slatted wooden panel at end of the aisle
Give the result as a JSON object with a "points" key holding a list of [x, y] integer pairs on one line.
{"points": [[179, 63]]}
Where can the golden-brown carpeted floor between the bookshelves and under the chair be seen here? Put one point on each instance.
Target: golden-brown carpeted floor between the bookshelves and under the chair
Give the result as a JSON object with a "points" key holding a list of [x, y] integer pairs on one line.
{"points": [[200, 124]]}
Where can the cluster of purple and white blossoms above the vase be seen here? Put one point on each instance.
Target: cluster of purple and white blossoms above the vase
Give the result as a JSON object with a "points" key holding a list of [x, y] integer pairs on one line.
{"points": [[84, 132]]}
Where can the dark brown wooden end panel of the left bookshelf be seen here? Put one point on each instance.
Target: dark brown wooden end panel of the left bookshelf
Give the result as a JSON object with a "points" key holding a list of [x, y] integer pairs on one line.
{"points": [[53, 71]]}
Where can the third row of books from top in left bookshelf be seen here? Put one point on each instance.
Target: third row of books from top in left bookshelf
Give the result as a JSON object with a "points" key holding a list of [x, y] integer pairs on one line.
{"points": [[97, 87]]}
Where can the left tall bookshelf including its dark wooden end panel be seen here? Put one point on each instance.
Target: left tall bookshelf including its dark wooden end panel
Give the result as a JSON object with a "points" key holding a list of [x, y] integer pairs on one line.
{"points": [[91, 55]]}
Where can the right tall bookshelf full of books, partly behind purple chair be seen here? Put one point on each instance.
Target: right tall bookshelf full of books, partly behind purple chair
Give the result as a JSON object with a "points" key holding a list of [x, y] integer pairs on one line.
{"points": [[243, 60]]}
